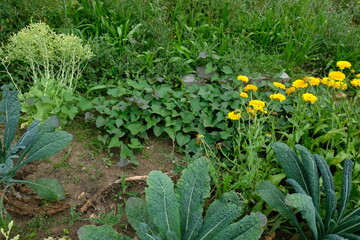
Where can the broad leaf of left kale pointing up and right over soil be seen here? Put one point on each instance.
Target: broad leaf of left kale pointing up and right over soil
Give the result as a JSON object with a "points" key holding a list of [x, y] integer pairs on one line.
{"points": [[48, 145]]}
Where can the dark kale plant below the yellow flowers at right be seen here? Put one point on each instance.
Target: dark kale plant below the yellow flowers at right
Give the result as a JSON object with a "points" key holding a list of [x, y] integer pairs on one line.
{"points": [[315, 196]]}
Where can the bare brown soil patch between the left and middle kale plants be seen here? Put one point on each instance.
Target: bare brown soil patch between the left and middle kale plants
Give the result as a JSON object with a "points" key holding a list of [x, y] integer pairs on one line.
{"points": [[82, 171]]}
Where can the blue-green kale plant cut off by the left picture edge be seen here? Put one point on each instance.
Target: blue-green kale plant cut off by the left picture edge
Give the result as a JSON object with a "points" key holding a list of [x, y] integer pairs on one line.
{"points": [[38, 142]]}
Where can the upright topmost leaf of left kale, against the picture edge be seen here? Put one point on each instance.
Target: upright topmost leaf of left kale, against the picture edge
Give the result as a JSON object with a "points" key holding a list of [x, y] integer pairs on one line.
{"points": [[9, 113]]}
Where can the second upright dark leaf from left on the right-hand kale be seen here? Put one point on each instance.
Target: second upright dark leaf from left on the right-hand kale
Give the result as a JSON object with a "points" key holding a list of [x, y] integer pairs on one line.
{"points": [[312, 176]]}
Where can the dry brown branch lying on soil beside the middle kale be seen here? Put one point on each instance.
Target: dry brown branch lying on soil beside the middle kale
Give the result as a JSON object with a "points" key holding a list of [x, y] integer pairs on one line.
{"points": [[96, 197]]}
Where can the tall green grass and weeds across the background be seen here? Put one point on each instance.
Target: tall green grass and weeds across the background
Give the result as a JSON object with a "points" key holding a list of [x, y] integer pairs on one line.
{"points": [[164, 38]]}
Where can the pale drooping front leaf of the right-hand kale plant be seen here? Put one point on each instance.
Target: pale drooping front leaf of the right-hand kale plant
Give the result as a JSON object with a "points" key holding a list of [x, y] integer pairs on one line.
{"points": [[305, 205]]}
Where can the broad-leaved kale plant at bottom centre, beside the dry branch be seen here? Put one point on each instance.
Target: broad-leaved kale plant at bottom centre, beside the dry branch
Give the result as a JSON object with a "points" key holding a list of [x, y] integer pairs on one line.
{"points": [[179, 215]]}
